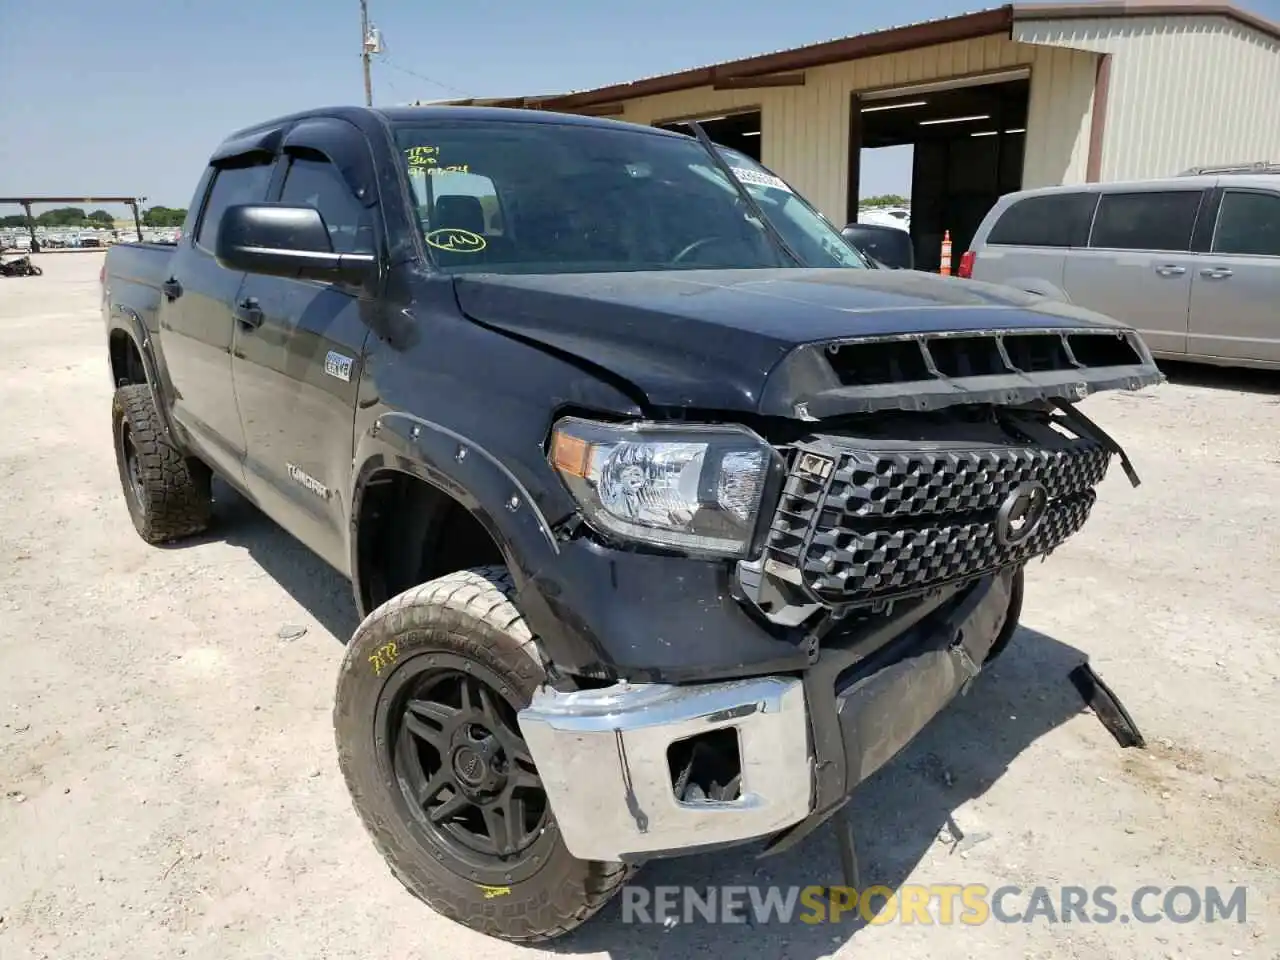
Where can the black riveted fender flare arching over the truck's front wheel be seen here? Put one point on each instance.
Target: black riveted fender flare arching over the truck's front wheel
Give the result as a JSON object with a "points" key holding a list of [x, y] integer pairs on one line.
{"points": [[472, 477]]}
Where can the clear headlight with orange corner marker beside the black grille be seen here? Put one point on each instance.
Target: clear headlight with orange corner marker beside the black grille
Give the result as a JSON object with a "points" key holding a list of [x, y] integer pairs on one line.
{"points": [[693, 488]]}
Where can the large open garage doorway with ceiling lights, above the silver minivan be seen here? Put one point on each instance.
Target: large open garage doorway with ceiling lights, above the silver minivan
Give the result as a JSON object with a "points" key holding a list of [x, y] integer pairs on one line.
{"points": [[968, 138]]}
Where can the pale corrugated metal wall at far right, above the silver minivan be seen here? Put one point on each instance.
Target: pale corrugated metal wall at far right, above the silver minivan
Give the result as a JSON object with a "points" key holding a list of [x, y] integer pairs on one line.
{"points": [[1185, 90]]}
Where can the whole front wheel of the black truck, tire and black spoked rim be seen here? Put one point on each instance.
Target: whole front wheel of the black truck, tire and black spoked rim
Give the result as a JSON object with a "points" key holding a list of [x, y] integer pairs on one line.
{"points": [[431, 747]]}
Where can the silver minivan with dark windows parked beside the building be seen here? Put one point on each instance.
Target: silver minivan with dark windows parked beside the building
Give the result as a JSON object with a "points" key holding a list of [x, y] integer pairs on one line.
{"points": [[1192, 262]]}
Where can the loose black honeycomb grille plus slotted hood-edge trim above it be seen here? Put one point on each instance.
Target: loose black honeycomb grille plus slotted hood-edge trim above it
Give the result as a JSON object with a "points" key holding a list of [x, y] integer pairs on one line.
{"points": [[935, 459]]}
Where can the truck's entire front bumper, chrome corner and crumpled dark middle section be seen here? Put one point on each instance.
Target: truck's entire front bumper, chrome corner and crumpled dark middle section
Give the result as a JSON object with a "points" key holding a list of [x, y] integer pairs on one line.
{"points": [[604, 755]]}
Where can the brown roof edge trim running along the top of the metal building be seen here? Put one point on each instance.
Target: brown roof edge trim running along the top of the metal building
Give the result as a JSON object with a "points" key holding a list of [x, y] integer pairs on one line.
{"points": [[967, 26]]}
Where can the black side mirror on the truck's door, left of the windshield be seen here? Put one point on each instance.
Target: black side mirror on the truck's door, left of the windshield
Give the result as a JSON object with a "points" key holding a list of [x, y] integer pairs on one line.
{"points": [[286, 241]]}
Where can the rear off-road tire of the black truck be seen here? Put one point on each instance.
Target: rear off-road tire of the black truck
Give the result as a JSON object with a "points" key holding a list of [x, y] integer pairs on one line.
{"points": [[172, 499]]}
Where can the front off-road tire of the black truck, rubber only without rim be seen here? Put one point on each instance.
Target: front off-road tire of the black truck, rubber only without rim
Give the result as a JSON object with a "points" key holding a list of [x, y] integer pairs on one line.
{"points": [[469, 614]]}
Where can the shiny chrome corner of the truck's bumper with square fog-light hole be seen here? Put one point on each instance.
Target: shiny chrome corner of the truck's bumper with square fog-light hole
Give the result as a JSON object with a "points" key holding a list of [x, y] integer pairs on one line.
{"points": [[602, 756]]}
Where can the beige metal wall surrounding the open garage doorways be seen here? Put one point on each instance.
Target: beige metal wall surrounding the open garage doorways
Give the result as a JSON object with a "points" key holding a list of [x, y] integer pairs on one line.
{"points": [[807, 129]]}
